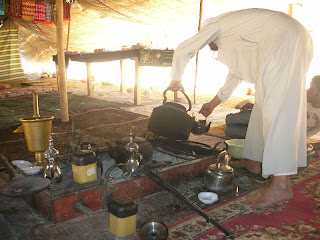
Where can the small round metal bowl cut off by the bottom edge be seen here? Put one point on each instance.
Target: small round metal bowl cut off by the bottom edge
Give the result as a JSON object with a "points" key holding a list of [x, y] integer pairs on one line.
{"points": [[153, 230]]}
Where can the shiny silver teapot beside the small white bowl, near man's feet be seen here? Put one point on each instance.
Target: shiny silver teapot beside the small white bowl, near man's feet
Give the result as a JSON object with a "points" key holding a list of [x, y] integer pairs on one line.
{"points": [[219, 176]]}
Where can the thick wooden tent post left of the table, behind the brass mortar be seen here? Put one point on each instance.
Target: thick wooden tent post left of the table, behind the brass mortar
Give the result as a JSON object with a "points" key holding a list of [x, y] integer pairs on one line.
{"points": [[64, 111]]}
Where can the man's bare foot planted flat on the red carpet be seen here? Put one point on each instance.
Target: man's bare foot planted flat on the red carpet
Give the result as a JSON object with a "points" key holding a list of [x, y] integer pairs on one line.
{"points": [[279, 190]]}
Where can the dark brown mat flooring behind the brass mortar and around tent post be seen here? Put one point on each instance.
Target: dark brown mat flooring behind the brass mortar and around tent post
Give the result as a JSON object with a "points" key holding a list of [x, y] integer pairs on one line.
{"points": [[97, 121]]}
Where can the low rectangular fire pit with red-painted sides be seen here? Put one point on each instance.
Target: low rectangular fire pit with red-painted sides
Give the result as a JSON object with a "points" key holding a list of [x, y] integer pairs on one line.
{"points": [[176, 165]]}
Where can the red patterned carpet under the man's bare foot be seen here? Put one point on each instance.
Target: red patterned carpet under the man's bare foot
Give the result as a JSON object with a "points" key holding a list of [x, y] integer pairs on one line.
{"points": [[295, 219]]}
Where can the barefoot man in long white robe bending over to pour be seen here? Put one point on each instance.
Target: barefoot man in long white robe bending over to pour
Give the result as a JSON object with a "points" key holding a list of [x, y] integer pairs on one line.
{"points": [[273, 51]]}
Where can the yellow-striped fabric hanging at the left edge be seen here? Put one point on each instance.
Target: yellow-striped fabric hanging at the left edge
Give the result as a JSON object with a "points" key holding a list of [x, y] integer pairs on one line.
{"points": [[10, 62]]}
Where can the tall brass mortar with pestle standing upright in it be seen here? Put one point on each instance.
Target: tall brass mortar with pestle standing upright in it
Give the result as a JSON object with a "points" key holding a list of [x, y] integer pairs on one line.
{"points": [[37, 131]]}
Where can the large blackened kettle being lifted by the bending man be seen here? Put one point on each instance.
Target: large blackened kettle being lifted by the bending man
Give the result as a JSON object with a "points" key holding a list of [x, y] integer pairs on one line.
{"points": [[171, 120]]}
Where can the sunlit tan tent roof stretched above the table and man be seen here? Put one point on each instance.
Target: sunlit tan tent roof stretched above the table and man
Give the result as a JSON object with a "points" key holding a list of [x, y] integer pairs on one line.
{"points": [[111, 24]]}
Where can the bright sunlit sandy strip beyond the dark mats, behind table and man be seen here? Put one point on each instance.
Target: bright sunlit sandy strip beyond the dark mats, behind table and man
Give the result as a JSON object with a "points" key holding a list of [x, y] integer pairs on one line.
{"points": [[149, 98]]}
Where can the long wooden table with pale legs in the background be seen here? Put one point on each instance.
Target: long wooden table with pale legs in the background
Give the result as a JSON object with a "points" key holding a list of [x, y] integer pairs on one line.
{"points": [[142, 57]]}
